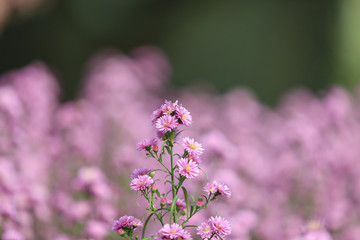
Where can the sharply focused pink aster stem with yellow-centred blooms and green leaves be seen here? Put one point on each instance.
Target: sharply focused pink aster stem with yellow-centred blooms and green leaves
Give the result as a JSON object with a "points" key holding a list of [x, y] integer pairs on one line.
{"points": [[179, 211]]}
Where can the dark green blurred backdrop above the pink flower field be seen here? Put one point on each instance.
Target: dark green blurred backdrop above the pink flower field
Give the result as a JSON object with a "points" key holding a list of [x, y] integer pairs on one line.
{"points": [[269, 47]]}
